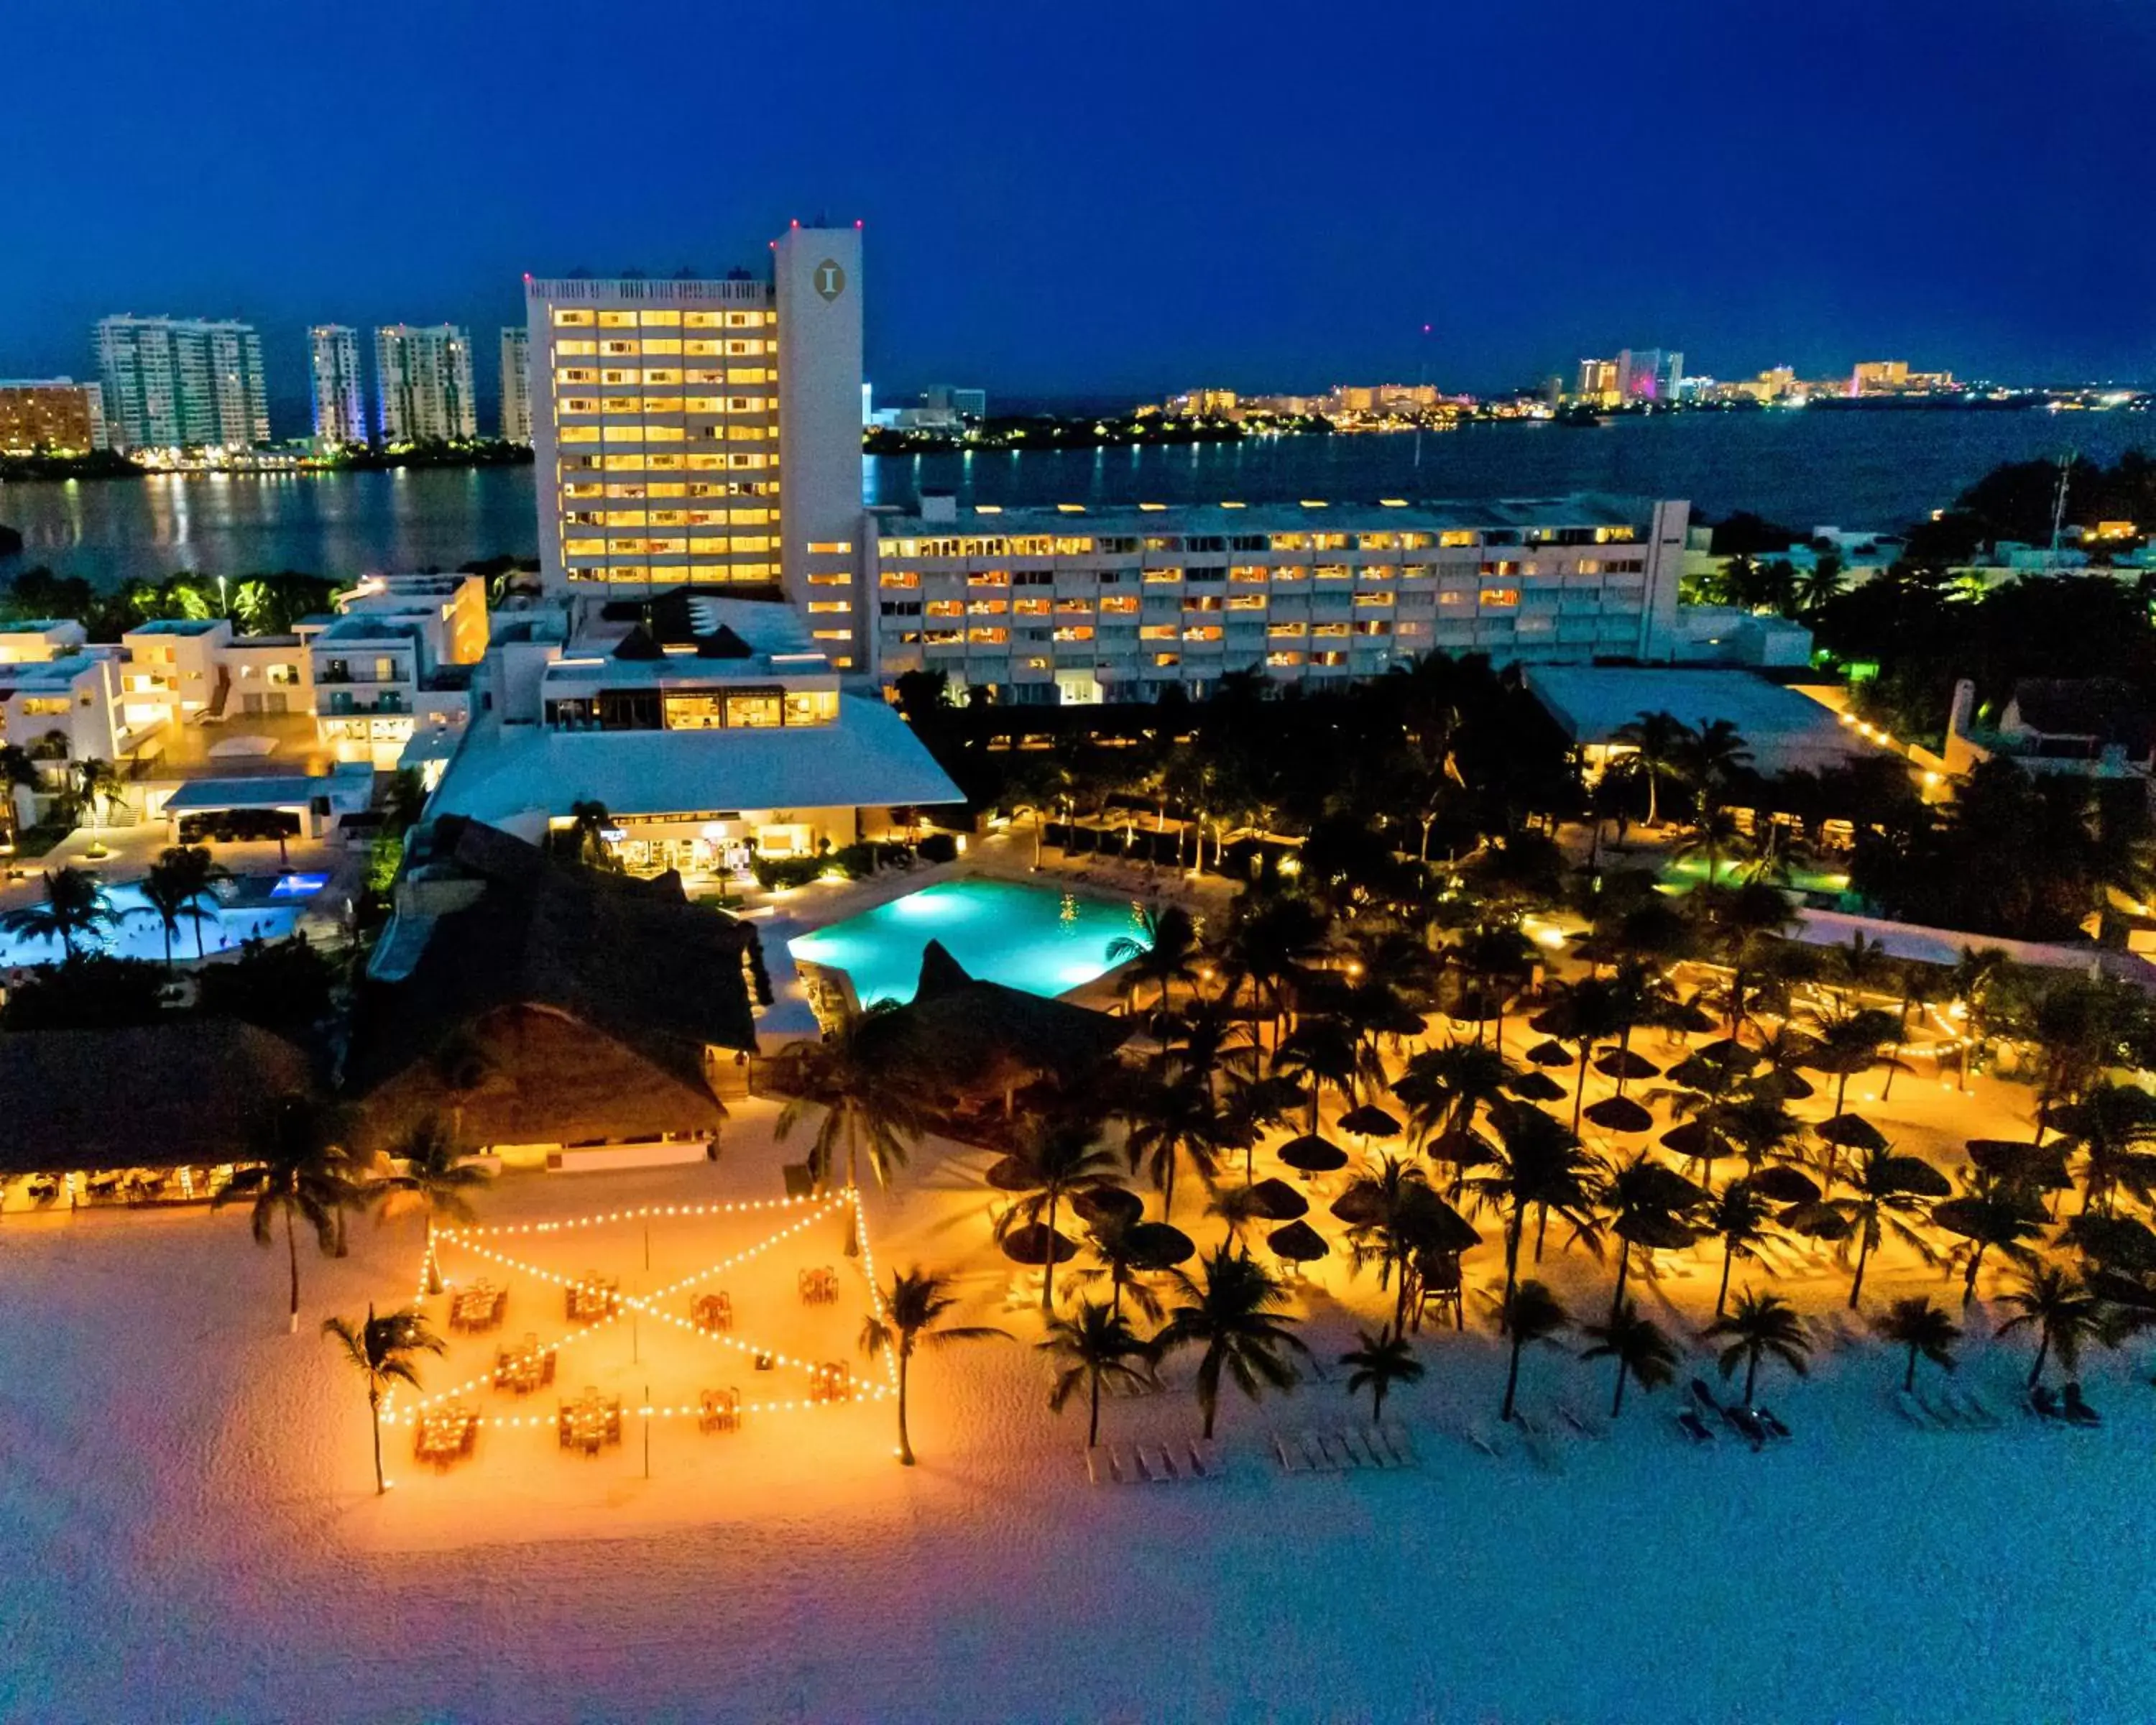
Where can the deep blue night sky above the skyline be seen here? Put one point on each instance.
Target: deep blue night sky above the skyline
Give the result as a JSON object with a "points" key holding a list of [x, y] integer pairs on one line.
{"points": [[1120, 199]]}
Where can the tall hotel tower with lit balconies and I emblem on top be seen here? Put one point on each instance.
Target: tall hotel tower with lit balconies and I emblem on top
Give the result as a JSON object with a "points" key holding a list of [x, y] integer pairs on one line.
{"points": [[661, 419]]}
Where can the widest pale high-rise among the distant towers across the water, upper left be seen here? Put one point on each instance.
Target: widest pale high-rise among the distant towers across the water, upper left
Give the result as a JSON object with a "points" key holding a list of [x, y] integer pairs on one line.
{"points": [[182, 383]]}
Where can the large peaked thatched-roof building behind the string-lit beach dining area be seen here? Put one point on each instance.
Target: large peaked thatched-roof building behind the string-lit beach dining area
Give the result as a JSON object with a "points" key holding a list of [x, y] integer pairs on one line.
{"points": [[544, 1010]]}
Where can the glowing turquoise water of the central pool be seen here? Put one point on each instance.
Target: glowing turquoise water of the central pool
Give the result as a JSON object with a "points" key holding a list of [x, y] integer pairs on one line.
{"points": [[1023, 937]]}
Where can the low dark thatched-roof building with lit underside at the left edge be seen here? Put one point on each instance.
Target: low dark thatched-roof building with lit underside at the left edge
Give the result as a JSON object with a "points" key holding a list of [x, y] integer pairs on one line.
{"points": [[152, 1114]]}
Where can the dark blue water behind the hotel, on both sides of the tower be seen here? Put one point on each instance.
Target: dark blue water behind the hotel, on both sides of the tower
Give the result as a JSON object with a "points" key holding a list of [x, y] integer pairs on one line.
{"points": [[1806, 469]]}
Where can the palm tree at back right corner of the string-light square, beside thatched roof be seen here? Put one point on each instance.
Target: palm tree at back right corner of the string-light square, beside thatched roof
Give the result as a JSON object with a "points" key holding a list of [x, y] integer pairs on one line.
{"points": [[868, 1079]]}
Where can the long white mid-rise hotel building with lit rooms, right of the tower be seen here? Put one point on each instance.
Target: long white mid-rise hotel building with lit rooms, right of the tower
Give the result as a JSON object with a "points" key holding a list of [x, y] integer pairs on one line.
{"points": [[1118, 605]]}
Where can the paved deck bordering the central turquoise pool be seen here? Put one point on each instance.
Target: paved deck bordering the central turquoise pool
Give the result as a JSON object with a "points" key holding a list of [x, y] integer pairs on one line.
{"points": [[1008, 857]]}
